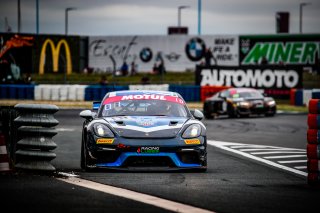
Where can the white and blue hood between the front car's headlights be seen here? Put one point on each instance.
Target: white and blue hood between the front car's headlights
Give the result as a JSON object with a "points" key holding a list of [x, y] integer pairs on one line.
{"points": [[146, 126]]}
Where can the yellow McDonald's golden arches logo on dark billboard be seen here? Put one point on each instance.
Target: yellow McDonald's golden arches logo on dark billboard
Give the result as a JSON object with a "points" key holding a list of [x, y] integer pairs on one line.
{"points": [[55, 55]]}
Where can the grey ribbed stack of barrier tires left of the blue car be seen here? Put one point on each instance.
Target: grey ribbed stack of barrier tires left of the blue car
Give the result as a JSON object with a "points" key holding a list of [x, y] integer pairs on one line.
{"points": [[35, 131]]}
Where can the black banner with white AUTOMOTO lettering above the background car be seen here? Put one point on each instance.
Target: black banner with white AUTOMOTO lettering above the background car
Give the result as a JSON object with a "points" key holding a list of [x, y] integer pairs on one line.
{"points": [[276, 77]]}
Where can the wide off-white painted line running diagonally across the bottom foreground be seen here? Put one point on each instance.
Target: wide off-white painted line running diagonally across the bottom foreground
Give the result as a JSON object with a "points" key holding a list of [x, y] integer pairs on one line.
{"points": [[136, 196]]}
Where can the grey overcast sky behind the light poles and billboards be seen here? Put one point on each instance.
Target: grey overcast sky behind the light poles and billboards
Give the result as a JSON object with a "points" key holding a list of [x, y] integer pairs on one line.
{"points": [[152, 17]]}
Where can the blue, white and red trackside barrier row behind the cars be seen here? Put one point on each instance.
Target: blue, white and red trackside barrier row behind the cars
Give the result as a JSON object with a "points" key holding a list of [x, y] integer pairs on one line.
{"points": [[191, 93]]}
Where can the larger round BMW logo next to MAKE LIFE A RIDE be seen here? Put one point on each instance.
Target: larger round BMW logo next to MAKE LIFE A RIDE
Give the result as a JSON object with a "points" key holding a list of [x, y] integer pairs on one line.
{"points": [[195, 49]]}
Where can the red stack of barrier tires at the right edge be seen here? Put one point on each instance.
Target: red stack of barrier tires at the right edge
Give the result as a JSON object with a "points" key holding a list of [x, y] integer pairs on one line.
{"points": [[313, 146]]}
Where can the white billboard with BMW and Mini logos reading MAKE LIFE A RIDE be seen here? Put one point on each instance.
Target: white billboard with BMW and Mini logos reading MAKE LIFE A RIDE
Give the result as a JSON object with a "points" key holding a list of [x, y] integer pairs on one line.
{"points": [[177, 52]]}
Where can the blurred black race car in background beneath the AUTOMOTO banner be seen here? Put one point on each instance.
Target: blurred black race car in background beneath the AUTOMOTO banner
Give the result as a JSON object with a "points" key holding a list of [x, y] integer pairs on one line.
{"points": [[241, 102]]}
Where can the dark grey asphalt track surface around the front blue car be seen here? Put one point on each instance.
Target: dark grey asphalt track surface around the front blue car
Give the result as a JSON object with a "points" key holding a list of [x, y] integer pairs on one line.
{"points": [[231, 184]]}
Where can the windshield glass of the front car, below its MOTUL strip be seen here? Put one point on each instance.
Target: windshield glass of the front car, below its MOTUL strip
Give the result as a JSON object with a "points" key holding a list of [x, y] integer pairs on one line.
{"points": [[144, 108]]}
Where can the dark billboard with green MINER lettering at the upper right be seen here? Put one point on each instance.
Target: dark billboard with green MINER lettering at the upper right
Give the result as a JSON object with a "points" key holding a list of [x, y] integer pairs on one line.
{"points": [[302, 50]]}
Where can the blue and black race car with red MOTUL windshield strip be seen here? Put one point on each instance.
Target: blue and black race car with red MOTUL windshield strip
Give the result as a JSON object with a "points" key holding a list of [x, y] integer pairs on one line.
{"points": [[143, 130]]}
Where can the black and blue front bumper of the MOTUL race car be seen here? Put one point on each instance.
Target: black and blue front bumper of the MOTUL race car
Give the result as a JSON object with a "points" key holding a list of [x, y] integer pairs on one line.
{"points": [[124, 154]]}
